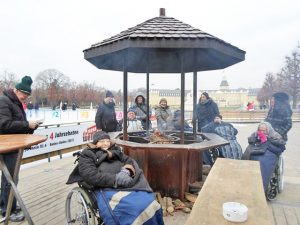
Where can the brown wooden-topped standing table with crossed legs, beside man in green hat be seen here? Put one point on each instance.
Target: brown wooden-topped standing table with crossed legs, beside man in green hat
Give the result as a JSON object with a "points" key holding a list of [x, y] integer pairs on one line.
{"points": [[12, 143]]}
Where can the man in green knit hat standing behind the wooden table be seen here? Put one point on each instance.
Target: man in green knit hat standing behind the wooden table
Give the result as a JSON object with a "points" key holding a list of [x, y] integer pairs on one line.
{"points": [[13, 121]]}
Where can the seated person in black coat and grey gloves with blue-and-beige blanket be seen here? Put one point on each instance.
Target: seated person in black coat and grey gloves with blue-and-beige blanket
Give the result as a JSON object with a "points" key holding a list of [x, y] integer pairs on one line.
{"points": [[122, 191]]}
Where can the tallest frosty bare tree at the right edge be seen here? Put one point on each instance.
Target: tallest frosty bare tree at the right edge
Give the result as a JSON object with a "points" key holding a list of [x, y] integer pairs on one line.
{"points": [[289, 76]]}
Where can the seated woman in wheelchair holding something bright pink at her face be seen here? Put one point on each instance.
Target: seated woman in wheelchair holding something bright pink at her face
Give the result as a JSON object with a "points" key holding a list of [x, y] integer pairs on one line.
{"points": [[265, 146]]}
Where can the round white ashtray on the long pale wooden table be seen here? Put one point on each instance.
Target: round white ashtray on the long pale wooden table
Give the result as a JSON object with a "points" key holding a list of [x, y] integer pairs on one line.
{"points": [[235, 212]]}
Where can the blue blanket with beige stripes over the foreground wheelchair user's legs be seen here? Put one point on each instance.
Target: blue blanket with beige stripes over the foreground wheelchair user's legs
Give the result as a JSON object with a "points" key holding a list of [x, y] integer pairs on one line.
{"points": [[125, 208]]}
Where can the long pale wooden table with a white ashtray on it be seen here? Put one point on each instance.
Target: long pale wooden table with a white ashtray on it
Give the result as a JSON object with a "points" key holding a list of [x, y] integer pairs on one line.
{"points": [[231, 181]]}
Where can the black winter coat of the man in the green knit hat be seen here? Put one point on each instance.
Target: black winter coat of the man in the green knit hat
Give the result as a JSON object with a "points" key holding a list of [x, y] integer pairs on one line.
{"points": [[12, 115]]}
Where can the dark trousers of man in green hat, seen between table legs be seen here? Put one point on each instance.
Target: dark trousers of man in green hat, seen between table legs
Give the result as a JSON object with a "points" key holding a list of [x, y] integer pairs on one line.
{"points": [[10, 161]]}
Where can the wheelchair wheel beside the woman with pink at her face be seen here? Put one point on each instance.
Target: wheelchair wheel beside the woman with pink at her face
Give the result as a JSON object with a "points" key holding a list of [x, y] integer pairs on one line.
{"points": [[277, 181]]}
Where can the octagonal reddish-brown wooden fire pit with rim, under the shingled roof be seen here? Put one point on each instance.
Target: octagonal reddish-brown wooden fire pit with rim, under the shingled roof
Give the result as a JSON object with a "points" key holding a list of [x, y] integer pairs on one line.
{"points": [[170, 167]]}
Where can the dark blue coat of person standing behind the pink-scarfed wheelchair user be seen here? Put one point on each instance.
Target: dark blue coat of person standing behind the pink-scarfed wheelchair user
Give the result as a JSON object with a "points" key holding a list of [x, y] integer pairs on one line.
{"points": [[280, 117]]}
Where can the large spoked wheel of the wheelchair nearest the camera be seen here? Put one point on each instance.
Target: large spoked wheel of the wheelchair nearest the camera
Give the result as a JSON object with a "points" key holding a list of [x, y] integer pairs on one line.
{"points": [[79, 208]]}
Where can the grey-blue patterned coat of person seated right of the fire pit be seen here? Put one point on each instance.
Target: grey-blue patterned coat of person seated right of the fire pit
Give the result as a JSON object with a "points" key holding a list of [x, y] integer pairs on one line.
{"points": [[233, 150]]}
